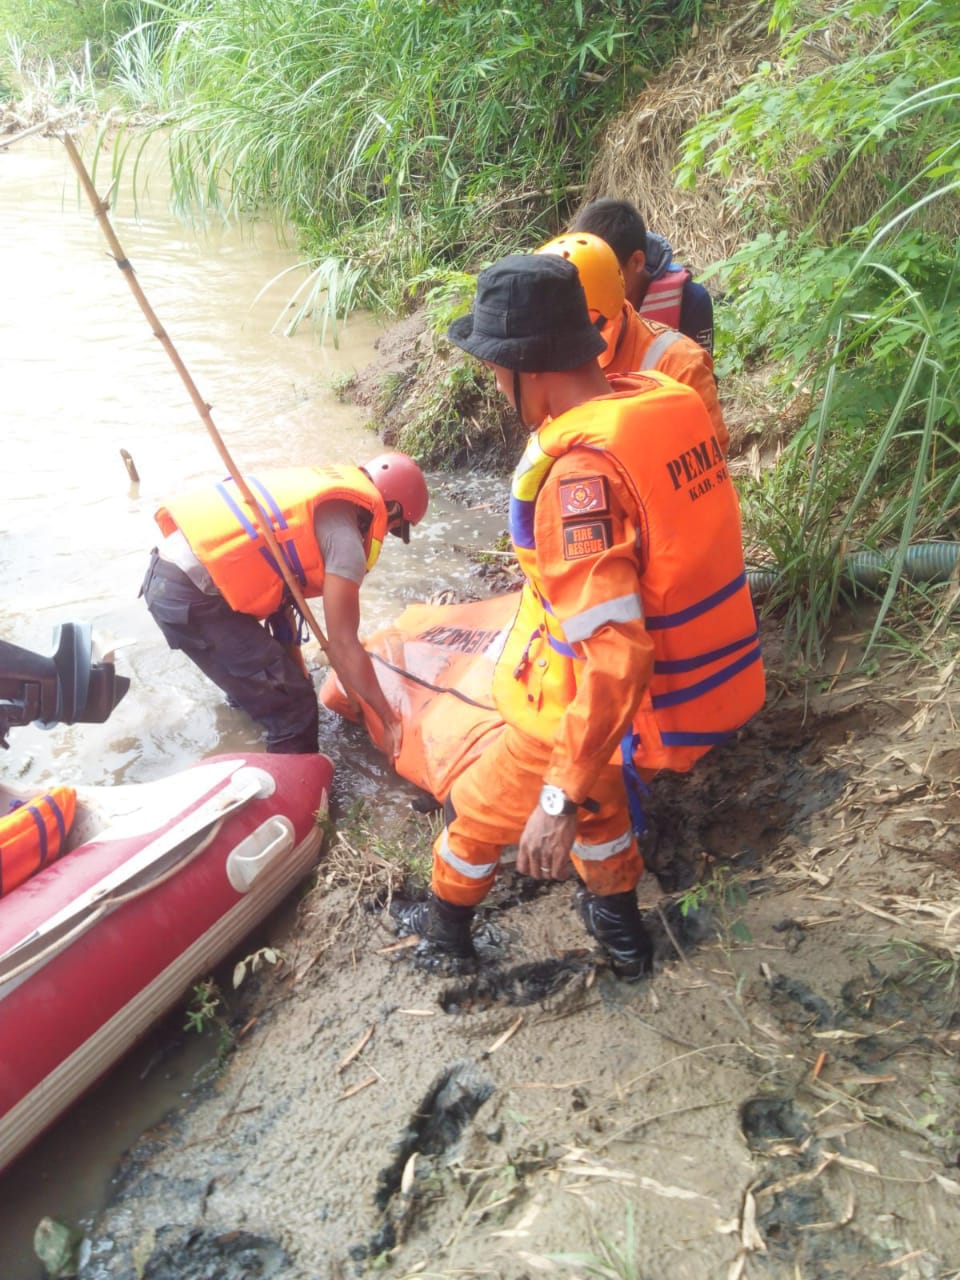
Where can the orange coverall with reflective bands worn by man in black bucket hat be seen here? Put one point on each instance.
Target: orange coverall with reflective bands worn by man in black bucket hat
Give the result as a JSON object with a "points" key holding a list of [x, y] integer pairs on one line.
{"points": [[491, 802]]}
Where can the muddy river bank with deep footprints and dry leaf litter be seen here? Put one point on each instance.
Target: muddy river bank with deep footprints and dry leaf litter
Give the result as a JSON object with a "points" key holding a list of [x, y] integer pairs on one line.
{"points": [[780, 1101]]}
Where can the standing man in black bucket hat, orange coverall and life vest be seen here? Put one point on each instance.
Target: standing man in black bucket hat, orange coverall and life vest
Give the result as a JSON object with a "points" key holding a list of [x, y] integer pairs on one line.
{"points": [[636, 643]]}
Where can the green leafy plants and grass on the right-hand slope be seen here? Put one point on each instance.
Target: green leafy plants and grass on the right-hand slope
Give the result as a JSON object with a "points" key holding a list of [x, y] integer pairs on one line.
{"points": [[856, 292]]}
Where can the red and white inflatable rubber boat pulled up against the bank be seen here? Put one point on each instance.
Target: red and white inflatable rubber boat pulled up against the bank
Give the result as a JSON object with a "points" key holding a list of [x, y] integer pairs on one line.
{"points": [[152, 885]]}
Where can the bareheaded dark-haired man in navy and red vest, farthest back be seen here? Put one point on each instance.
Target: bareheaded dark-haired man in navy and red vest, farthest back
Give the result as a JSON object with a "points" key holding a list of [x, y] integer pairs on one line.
{"points": [[659, 289]]}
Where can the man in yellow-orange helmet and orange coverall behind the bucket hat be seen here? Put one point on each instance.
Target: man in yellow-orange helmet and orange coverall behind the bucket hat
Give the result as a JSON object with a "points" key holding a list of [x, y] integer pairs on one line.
{"points": [[634, 344]]}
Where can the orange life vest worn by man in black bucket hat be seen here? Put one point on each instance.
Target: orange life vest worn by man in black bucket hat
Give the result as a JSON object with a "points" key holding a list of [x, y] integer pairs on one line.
{"points": [[708, 674]]}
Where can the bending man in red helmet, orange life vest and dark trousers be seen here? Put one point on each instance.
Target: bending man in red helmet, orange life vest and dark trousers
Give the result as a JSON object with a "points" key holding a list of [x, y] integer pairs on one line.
{"points": [[216, 592]]}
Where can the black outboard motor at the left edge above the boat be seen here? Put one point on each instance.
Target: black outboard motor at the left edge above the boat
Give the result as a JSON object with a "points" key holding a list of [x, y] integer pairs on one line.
{"points": [[67, 688]]}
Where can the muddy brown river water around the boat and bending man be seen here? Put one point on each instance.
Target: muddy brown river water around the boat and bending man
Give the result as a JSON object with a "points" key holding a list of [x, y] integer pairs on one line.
{"points": [[83, 378]]}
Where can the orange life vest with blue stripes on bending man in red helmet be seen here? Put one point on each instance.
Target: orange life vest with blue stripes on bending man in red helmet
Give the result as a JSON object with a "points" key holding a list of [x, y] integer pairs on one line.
{"points": [[225, 537]]}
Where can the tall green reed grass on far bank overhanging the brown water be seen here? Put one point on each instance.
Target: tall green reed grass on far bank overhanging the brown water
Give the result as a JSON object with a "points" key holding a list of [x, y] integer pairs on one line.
{"points": [[397, 136]]}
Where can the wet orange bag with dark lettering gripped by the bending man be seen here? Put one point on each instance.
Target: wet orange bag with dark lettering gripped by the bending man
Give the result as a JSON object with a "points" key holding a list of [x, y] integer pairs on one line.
{"points": [[436, 666]]}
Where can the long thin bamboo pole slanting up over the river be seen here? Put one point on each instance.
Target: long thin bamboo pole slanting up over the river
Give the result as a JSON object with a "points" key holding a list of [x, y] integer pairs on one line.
{"points": [[100, 209]]}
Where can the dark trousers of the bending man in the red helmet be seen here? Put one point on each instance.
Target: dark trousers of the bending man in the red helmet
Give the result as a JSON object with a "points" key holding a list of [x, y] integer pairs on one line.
{"points": [[239, 655]]}
